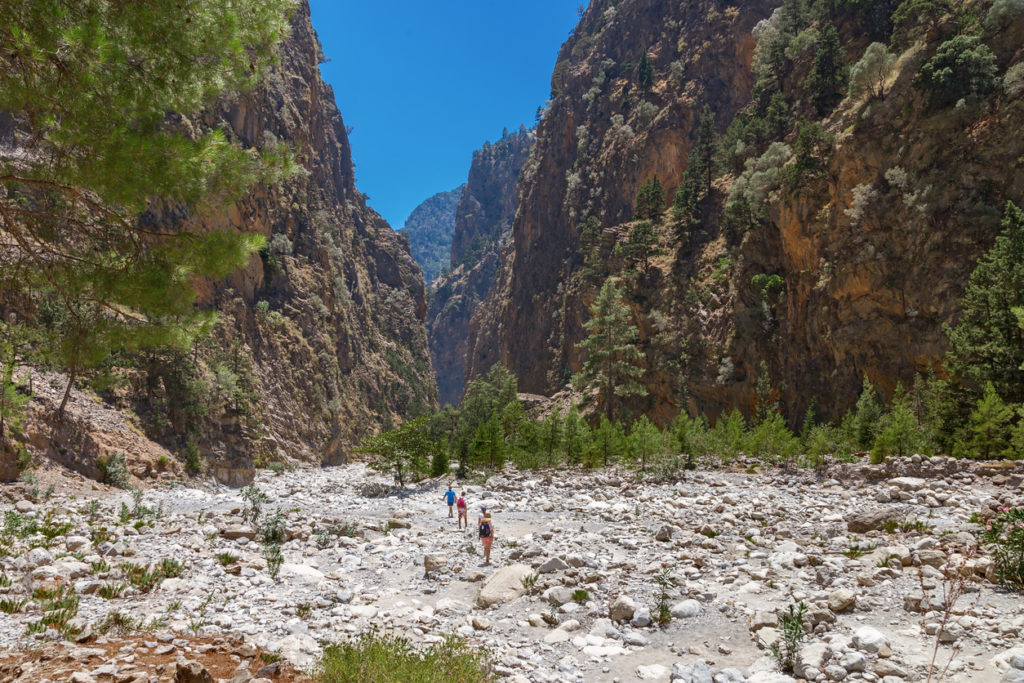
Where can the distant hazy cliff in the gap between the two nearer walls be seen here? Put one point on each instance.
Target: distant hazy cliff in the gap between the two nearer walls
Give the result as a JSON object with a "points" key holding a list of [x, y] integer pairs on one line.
{"points": [[484, 221]]}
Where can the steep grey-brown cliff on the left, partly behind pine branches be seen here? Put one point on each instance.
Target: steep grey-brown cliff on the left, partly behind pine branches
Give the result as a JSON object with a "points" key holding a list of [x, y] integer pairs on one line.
{"points": [[322, 338]]}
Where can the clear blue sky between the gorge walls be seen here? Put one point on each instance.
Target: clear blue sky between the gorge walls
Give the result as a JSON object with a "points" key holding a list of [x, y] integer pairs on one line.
{"points": [[423, 84]]}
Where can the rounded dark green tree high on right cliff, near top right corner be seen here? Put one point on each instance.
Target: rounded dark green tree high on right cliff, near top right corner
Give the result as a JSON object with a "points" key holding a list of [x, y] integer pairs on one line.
{"points": [[962, 67]]}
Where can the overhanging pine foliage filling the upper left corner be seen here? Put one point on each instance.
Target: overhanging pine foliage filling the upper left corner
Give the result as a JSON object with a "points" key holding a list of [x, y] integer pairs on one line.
{"points": [[94, 95]]}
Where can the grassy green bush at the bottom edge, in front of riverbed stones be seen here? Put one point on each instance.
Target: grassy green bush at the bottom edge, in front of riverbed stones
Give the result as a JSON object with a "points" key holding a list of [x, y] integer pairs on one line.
{"points": [[391, 659]]}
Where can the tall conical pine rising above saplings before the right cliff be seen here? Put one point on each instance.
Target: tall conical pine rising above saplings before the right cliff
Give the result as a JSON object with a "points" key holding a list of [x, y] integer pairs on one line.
{"points": [[614, 362]]}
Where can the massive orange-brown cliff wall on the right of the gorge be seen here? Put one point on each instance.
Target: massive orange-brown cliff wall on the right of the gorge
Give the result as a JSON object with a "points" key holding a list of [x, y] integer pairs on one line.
{"points": [[868, 254]]}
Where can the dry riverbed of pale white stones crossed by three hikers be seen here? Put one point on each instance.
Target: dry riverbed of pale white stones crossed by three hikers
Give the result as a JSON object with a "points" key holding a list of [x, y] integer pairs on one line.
{"points": [[580, 567]]}
